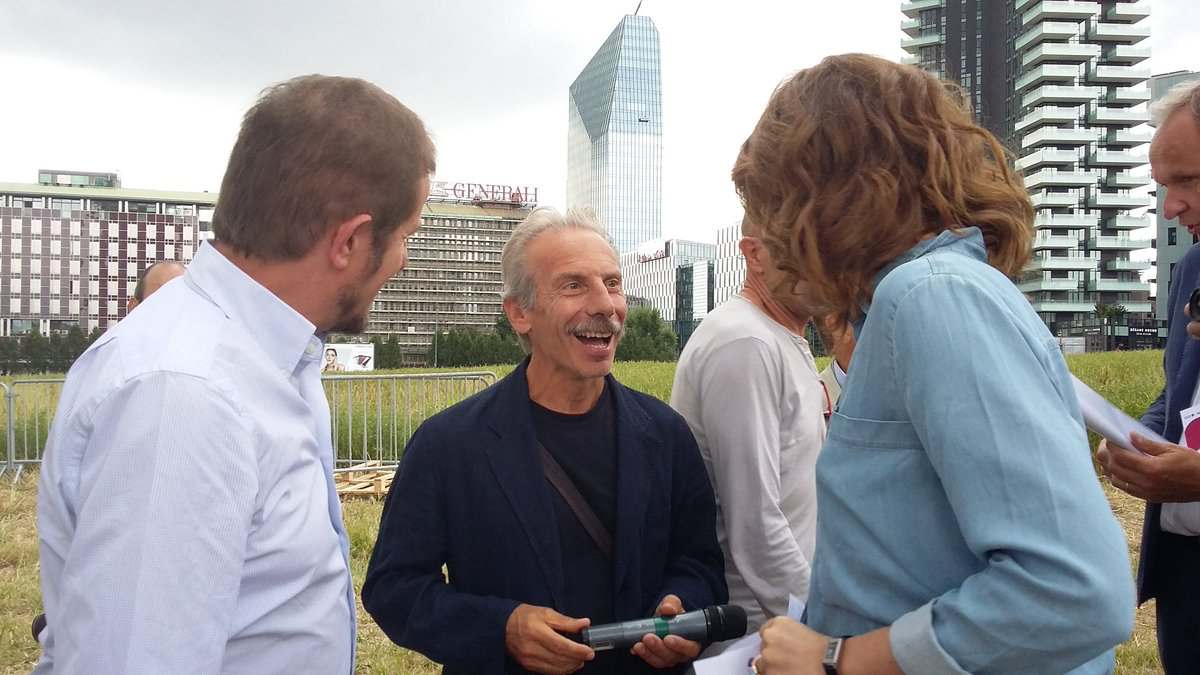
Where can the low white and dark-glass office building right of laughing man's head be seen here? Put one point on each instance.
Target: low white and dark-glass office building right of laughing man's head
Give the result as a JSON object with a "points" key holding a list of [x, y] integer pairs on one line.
{"points": [[675, 277]]}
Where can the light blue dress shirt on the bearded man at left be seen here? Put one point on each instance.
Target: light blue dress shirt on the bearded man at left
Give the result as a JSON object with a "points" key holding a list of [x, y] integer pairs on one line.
{"points": [[187, 509]]}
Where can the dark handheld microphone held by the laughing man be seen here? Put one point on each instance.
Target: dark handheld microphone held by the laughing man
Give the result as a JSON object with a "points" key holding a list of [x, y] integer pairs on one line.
{"points": [[710, 625]]}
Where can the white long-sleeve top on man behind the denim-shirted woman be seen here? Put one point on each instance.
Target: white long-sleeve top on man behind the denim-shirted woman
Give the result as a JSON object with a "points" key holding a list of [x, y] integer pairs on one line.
{"points": [[752, 396]]}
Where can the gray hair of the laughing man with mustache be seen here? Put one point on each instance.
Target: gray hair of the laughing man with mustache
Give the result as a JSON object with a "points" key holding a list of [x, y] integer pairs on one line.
{"points": [[517, 278]]}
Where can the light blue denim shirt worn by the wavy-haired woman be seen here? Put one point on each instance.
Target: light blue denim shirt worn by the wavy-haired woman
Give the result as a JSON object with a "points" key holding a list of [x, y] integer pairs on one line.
{"points": [[957, 499]]}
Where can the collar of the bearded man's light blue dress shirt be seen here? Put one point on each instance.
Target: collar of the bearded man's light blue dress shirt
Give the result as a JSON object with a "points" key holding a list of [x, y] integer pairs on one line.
{"points": [[283, 333]]}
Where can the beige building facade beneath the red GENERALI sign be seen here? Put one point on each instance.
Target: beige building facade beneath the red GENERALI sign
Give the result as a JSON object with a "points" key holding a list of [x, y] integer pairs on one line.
{"points": [[453, 276]]}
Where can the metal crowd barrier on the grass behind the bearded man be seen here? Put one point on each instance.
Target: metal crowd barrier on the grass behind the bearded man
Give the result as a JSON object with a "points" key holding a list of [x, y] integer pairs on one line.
{"points": [[371, 416]]}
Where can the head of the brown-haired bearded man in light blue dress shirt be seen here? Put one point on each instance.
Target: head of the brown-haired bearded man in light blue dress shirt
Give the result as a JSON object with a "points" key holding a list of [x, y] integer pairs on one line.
{"points": [[326, 184]]}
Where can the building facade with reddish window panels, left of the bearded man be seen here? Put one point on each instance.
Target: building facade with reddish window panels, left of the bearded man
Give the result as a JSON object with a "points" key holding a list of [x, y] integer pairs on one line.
{"points": [[74, 244]]}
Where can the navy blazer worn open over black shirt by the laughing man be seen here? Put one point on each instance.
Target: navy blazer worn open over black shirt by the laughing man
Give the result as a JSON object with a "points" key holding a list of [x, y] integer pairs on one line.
{"points": [[471, 494]]}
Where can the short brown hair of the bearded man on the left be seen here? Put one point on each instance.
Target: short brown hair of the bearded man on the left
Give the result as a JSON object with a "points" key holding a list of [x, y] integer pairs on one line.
{"points": [[315, 152]]}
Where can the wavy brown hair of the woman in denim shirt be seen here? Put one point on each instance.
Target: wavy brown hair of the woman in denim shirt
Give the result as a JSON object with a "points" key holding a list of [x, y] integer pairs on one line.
{"points": [[859, 159]]}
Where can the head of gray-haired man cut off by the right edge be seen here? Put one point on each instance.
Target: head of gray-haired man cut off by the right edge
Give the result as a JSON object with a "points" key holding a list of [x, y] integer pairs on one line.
{"points": [[1175, 162]]}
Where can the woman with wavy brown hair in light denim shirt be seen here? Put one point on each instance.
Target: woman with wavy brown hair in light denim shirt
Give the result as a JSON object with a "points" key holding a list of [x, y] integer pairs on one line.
{"points": [[961, 524]]}
